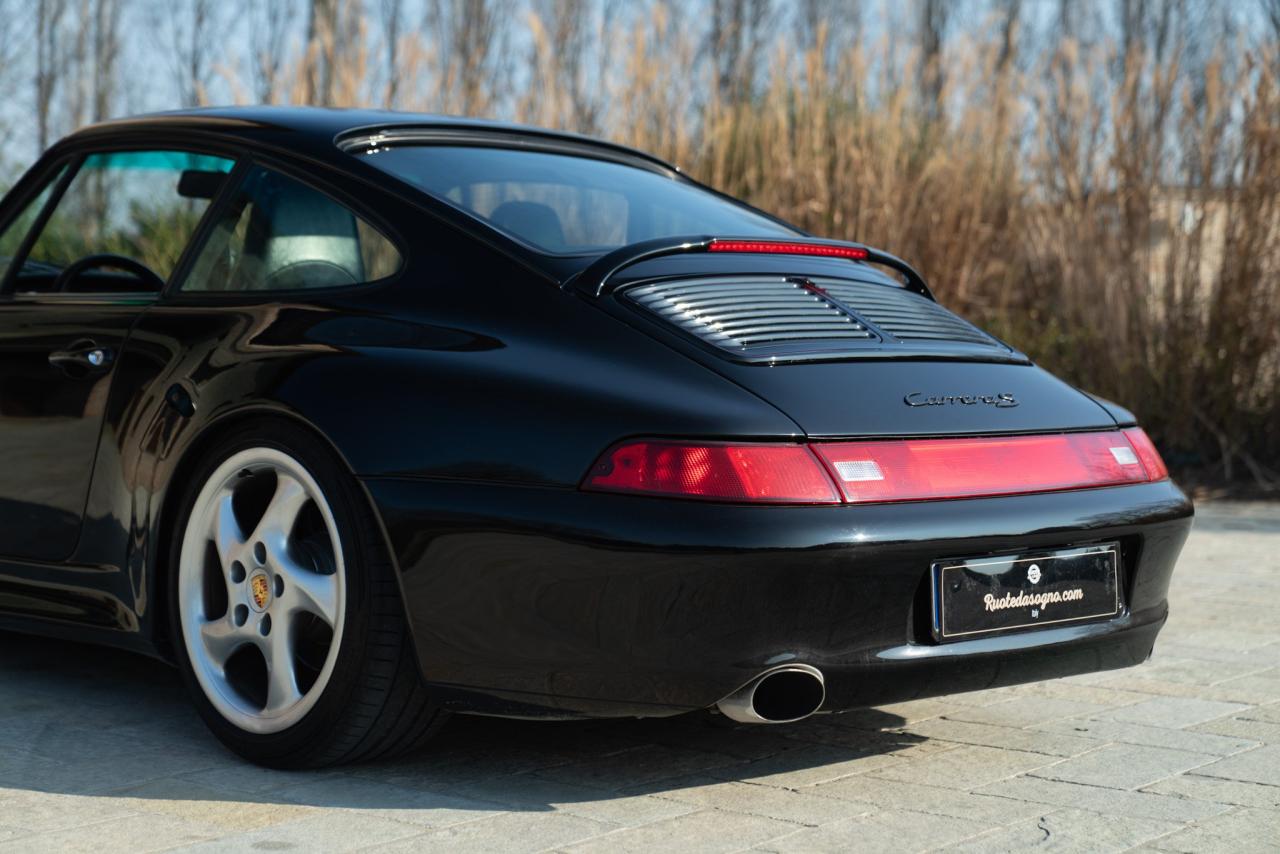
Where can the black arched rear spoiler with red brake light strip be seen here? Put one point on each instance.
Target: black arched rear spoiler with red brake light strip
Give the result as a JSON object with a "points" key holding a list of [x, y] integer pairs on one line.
{"points": [[596, 280]]}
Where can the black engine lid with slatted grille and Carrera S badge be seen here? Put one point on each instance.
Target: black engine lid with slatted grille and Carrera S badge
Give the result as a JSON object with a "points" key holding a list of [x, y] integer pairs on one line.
{"points": [[848, 353]]}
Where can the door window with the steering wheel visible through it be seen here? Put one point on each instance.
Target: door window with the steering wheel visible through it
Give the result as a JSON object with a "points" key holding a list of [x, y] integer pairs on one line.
{"points": [[140, 208]]}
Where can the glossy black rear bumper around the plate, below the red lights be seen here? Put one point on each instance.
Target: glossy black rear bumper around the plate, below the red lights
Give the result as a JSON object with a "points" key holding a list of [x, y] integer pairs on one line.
{"points": [[557, 604]]}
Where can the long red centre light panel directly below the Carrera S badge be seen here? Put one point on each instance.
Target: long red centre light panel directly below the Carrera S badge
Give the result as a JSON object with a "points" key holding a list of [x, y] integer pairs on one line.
{"points": [[931, 469]]}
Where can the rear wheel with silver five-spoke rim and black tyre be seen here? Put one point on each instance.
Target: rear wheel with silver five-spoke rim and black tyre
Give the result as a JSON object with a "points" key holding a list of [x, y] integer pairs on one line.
{"points": [[291, 633]]}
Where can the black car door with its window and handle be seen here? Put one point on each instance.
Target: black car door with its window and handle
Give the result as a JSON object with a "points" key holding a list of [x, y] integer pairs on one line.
{"points": [[83, 261]]}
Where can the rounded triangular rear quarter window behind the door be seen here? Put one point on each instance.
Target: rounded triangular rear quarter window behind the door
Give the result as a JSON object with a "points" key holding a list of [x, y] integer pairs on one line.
{"points": [[280, 235]]}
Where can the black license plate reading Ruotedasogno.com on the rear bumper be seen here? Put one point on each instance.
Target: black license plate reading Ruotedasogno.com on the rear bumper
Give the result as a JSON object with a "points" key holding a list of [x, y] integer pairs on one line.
{"points": [[984, 596]]}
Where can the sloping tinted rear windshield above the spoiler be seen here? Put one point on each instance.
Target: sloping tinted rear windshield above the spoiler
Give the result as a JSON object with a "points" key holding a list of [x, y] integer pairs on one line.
{"points": [[568, 205]]}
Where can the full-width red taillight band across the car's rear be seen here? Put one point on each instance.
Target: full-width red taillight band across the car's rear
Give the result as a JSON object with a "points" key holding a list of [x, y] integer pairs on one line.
{"points": [[879, 472]]}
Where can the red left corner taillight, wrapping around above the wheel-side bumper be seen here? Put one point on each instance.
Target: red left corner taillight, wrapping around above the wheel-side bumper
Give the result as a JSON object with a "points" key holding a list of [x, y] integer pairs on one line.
{"points": [[781, 474]]}
